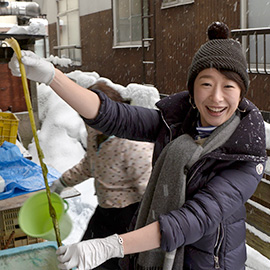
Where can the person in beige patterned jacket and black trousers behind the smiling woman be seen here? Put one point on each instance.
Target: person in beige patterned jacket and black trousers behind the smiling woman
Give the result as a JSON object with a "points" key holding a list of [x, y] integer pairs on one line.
{"points": [[121, 169]]}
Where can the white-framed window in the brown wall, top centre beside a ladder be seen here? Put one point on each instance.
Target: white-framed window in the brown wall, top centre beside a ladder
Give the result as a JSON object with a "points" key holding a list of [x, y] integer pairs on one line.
{"points": [[128, 23]]}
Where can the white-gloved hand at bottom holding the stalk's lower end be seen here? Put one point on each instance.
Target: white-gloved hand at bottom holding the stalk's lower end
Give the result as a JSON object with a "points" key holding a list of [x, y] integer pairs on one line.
{"points": [[91, 253]]}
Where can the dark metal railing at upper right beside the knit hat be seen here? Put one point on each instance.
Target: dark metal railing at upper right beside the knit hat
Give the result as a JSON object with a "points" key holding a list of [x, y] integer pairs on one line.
{"points": [[256, 45]]}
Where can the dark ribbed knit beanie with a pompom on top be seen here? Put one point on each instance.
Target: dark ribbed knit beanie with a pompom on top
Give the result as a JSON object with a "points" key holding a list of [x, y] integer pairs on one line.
{"points": [[220, 52]]}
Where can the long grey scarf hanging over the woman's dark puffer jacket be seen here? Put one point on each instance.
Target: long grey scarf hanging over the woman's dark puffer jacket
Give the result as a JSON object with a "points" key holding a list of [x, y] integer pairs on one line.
{"points": [[167, 186]]}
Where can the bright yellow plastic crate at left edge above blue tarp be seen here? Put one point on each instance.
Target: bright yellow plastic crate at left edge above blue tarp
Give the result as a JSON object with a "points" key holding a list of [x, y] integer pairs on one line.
{"points": [[8, 127]]}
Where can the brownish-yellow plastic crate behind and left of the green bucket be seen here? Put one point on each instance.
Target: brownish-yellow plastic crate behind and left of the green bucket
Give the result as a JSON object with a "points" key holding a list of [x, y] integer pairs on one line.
{"points": [[10, 233]]}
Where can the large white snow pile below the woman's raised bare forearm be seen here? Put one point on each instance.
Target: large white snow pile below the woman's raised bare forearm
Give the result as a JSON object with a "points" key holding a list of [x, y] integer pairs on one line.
{"points": [[62, 135]]}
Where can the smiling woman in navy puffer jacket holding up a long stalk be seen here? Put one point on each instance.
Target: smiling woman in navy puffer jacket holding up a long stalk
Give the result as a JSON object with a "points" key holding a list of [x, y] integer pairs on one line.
{"points": [[193, 210]]}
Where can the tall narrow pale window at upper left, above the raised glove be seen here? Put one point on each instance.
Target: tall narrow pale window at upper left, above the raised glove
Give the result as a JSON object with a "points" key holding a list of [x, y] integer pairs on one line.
{"points": [[68, 30]]}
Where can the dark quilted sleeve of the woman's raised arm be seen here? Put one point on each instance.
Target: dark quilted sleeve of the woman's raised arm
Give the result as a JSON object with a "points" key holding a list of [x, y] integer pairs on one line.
{"points": [[126, 121]]}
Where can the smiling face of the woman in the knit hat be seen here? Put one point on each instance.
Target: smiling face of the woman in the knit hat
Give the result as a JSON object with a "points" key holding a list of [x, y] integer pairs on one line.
{"points": [[215, 96]]}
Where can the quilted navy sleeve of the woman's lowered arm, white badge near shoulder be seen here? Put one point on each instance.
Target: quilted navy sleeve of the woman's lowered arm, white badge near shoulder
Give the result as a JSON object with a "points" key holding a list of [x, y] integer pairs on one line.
{"points": [[218, 200]]}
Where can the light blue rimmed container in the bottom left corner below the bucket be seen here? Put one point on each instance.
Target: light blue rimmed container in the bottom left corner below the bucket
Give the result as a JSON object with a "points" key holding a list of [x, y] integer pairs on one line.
{"points": [[40, 256]]}
